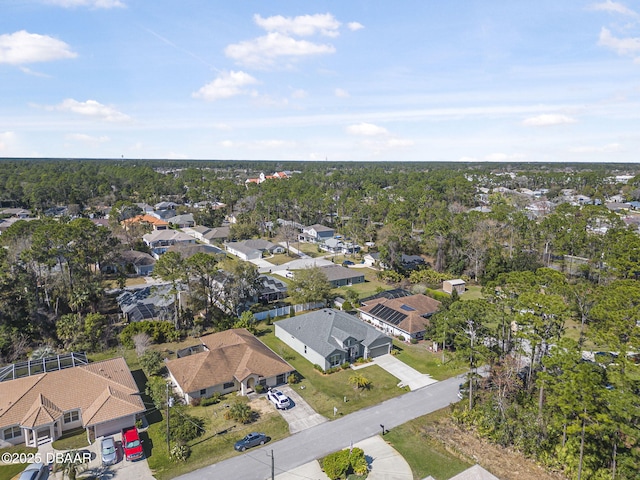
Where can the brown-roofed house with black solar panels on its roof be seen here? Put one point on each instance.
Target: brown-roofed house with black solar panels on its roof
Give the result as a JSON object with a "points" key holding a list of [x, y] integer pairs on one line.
{"points": [[405, 317]]}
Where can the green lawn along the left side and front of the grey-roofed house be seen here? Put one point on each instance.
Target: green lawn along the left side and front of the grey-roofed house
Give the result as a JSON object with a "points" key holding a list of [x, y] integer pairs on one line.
{"points": [[323, 392]]}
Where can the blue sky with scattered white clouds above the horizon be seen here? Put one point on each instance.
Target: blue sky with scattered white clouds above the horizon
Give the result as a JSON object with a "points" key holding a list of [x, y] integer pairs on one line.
{"points": [[412, 80]]}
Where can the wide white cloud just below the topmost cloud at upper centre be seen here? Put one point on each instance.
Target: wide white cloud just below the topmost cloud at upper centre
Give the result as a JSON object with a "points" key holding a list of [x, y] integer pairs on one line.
{"points": [[263, 51]]}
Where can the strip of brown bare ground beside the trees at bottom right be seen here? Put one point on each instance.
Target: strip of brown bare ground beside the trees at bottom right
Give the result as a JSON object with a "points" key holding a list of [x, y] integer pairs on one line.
{"points": [[504, 463]]}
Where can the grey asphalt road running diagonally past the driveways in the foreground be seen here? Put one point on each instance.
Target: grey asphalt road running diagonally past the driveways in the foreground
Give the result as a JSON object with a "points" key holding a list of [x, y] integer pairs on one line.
{"points": [[328, 437]]}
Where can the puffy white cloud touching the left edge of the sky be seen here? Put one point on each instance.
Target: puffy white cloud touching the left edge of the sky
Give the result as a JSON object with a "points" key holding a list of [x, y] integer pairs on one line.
{"points": [[24, 47]]}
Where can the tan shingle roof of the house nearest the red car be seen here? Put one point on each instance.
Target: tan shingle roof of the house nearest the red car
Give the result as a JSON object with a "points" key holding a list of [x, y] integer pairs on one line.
{"points": [[41, 398]]}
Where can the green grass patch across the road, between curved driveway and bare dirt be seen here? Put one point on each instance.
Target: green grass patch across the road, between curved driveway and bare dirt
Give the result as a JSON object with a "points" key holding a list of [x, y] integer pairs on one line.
{"points": [[425, 455]]}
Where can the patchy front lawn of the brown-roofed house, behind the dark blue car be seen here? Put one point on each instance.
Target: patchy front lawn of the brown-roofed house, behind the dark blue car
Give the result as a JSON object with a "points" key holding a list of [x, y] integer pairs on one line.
{"points": [[216, 444]]}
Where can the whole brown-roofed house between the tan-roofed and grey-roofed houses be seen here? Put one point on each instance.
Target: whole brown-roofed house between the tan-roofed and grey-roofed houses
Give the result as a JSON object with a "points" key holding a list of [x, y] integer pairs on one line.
{"points": [[229, 361]]}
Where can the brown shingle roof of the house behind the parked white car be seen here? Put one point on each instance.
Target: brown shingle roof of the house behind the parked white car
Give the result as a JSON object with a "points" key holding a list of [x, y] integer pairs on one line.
{"points": [[232, 354]]}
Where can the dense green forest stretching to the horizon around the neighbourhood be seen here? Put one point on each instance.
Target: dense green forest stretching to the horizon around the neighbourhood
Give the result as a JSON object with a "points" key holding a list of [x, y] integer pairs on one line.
{"points": [[559, 281]]}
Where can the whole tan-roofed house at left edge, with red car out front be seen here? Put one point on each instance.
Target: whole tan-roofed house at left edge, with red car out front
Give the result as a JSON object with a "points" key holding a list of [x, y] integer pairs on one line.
{"points": [[101, 397]]}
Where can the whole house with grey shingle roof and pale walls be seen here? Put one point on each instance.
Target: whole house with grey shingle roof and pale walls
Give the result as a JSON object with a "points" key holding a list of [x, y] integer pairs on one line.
{"points": [[330, 337]]}
